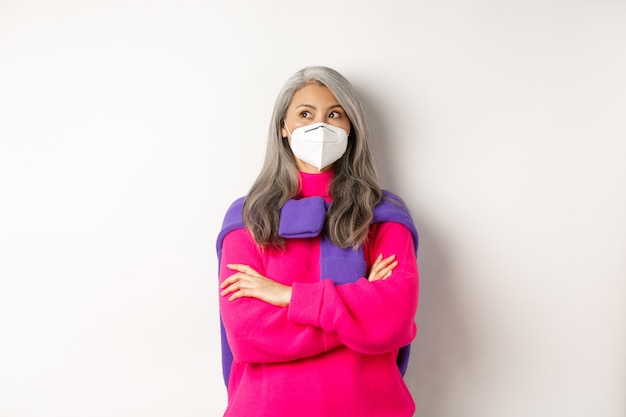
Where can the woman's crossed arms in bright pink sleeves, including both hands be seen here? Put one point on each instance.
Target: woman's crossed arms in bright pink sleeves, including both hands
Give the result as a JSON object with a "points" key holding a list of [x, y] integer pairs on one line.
{"points": [[267, 321]]}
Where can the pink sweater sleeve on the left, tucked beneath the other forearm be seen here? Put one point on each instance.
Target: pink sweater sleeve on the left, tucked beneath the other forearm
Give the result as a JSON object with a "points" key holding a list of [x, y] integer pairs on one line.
{"points": [[257, 331]]}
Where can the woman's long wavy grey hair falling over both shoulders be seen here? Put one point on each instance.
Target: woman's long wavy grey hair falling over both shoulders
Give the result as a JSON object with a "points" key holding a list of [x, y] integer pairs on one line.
{"points": [[354, 188]]}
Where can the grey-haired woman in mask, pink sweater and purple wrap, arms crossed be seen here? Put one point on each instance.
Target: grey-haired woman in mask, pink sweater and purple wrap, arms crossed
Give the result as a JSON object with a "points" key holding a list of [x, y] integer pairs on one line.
{"points": [[318, 271]]}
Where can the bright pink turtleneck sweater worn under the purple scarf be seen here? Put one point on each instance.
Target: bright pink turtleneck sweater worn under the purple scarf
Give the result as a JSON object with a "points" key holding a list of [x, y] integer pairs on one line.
{"points": [[332, 351]]}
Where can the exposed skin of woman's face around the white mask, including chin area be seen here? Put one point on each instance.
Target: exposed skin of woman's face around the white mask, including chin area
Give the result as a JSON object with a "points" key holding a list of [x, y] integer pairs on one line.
{"points": [[314, 103]]}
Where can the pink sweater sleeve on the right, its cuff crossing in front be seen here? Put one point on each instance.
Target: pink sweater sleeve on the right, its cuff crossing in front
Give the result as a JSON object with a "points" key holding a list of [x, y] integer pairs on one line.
{"points": [[368, 317]]}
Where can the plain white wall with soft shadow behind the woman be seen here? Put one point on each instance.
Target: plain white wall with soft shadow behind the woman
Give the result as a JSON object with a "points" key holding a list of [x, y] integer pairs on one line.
{"points": [[128, 127]]}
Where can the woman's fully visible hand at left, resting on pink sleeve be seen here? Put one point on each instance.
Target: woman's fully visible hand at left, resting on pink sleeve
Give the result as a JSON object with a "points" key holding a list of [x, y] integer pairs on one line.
{"points": [[247, 282]]}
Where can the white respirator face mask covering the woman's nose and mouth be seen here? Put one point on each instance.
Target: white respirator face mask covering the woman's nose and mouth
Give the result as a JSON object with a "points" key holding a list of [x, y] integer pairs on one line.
{"points": [[318, 144]]}
